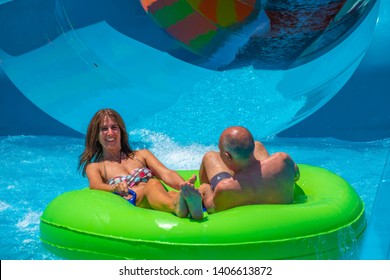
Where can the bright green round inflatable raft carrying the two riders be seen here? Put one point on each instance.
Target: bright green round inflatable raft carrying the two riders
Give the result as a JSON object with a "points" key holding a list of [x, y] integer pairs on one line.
{"points": [[325, 219]]}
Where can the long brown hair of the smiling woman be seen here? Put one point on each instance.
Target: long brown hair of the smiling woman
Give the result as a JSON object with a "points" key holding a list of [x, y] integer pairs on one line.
{"points": [[93, 149]]}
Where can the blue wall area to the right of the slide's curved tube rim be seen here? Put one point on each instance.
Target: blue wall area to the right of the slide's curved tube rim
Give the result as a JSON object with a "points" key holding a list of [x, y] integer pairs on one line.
{"points": [[359, 112]]}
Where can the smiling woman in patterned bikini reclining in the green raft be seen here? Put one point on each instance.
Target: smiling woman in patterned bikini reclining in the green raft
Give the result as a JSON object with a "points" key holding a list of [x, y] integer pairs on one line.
{"points": [[111, 165]]}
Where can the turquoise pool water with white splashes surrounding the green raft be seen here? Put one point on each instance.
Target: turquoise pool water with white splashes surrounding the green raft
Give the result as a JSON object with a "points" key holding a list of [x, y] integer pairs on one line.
{"points": [[36, 169]]}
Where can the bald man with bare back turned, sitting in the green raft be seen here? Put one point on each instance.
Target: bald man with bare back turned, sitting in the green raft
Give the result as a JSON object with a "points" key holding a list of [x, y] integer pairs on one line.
{"points": [[243, 173]]}
